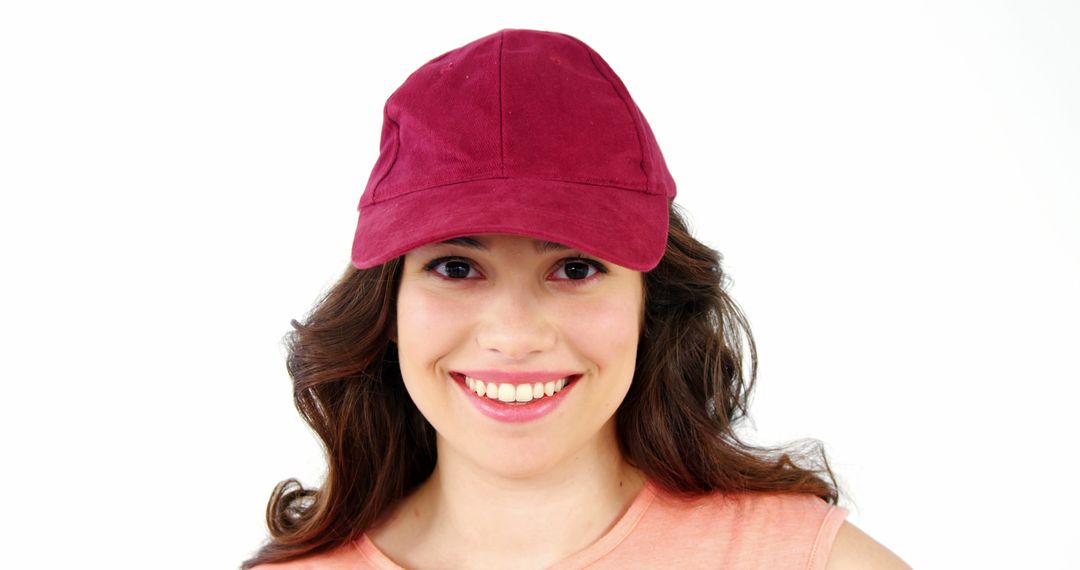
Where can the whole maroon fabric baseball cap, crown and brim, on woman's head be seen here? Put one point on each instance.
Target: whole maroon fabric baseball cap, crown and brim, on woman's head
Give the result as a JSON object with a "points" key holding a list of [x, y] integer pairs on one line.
{"points": [[521, 132]]}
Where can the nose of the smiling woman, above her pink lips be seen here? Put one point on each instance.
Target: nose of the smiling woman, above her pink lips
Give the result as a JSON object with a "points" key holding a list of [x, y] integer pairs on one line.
{"points": [[517, 324]]}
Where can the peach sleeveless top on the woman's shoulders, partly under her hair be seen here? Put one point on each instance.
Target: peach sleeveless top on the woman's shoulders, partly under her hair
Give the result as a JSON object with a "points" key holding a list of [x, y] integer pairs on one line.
{"points": [[660, 531]]}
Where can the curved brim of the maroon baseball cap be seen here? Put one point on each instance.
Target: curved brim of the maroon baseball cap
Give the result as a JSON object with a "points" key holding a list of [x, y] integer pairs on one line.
{"points": [[626, 227]]}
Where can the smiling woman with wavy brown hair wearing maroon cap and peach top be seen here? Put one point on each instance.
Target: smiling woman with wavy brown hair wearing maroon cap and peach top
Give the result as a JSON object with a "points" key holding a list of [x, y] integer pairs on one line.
{"points": [[531, 363]]}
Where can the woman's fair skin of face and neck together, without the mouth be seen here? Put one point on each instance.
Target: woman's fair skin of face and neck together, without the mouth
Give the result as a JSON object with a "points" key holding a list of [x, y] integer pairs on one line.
{"points": [[528, 495]]}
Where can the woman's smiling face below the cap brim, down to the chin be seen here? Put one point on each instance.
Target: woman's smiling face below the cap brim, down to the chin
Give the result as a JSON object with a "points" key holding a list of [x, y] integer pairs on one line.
{"points": [[525, 316]]}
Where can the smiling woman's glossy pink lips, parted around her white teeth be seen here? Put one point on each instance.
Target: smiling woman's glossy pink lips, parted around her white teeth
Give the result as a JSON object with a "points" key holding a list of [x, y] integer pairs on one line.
{"points": [[517, 413]]}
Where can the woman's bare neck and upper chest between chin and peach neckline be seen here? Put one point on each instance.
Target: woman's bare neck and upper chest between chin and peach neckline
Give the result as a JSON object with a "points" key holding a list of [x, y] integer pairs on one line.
{"points": [[474, 518]]}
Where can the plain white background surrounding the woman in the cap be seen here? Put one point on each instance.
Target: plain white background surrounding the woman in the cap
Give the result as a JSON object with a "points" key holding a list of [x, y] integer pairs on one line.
{"points": [[895, 187]]}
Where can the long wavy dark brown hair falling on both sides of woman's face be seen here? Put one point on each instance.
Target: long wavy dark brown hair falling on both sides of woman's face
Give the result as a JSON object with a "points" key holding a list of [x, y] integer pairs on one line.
{"points": [[696, 371]]}
